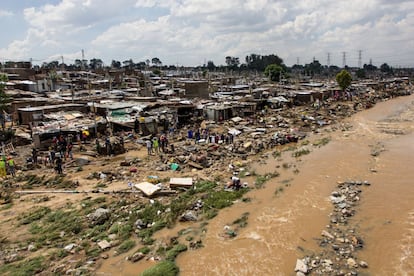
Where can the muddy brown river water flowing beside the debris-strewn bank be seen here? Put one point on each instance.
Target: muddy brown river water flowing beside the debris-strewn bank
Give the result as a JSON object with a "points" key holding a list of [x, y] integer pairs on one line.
{"points": [[281, 223]]}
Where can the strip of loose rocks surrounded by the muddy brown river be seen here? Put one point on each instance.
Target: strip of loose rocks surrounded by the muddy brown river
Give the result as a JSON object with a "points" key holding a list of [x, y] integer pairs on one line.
{"points": [[340, 241]]}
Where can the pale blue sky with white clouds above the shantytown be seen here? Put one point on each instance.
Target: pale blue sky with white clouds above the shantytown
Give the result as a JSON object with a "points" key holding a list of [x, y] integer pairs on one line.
{"points": [[193, 32]]}
